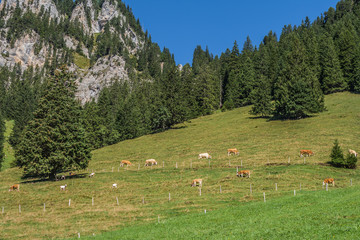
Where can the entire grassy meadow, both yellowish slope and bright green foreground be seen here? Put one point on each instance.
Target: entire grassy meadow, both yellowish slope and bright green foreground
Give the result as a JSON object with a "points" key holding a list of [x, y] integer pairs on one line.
{"points": [[269, 149]]}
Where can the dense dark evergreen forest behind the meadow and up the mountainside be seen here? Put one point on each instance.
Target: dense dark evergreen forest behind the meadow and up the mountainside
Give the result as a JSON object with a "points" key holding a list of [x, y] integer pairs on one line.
{"points": [[283, 78]]}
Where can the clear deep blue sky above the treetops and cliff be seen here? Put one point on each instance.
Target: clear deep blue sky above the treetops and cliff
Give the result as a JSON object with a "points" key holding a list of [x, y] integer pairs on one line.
{"points": [[182, 25]]}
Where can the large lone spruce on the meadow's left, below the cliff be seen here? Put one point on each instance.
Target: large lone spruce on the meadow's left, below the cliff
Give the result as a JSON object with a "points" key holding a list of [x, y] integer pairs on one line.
{"points": [[54, 141]]}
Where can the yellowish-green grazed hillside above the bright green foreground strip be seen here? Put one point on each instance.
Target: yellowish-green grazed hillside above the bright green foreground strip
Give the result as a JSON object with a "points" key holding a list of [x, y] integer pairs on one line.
{"points": [[143, 194]]}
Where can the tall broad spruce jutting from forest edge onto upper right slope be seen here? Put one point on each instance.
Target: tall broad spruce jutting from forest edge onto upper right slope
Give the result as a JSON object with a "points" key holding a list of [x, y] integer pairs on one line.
{"points": [[297, 91]]}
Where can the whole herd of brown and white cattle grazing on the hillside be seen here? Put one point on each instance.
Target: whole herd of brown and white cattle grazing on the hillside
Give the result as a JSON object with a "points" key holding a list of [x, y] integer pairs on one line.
{"points": [[198, 182]]}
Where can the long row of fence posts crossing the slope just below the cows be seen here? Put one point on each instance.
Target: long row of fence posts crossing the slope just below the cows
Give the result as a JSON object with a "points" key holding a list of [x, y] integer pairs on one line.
{"points": [[145, 199]]}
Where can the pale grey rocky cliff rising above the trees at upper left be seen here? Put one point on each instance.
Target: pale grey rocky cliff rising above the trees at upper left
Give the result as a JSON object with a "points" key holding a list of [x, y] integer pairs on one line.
{"points": [[32, 49]]}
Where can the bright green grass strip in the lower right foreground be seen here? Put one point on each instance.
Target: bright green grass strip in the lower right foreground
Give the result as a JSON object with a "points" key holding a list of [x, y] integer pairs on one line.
{"points": [[308, 215]]}
